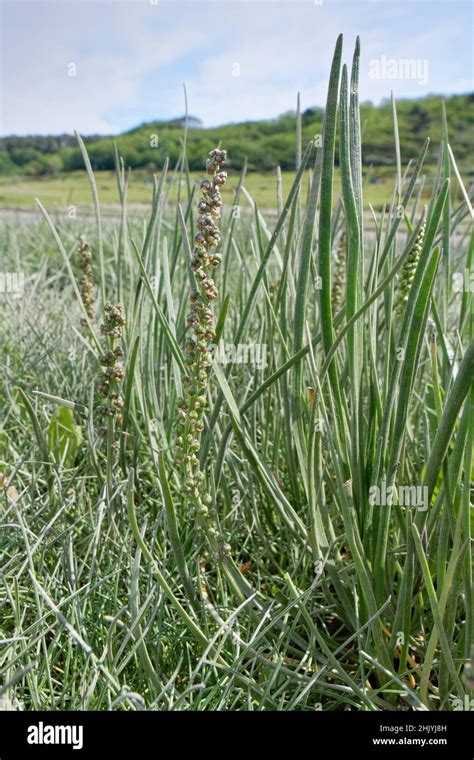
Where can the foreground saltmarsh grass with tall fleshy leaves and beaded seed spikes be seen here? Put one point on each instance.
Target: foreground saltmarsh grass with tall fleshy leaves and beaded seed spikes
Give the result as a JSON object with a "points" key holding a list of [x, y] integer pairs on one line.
{"points": [[332, 568]]}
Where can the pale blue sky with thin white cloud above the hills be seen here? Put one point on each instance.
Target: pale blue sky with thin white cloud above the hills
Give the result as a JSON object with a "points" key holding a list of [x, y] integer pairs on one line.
{"points": [[239, 59]]}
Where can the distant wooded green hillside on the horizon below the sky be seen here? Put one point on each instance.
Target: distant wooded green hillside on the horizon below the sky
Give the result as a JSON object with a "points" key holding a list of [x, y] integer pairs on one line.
{"points": [[264, 144]]}
